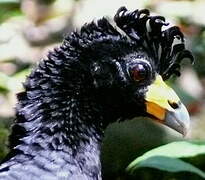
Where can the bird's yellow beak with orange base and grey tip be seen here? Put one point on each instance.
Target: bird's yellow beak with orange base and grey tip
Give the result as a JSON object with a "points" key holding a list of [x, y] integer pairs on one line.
{"points": [[164, 105]]}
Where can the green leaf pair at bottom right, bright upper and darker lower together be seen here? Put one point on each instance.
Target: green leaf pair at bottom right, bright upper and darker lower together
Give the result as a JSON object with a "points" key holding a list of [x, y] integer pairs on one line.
{"points": [[170, 151]]}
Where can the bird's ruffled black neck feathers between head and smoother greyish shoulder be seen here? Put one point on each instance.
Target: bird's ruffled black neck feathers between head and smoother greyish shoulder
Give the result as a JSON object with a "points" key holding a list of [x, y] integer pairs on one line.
{"points": [[54, 112]]}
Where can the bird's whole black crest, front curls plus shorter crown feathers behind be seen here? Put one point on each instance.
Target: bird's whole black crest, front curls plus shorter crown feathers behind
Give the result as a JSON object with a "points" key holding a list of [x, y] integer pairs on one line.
{"points": [[143, 30]]}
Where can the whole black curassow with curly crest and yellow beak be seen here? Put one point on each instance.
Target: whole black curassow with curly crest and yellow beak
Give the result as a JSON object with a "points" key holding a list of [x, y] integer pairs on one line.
{"points": [[98, 75]]}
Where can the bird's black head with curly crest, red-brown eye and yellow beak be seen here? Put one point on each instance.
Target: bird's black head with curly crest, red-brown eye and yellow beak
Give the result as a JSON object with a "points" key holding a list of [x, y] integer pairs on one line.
{"points": [[127, 67]]}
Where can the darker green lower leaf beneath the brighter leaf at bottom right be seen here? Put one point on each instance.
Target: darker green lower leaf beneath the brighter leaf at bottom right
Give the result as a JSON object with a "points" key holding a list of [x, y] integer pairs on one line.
{"points": [[168, 164]]}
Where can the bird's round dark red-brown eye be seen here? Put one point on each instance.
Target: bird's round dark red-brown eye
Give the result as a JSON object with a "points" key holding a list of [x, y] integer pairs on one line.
{"points": [[138, 72]]}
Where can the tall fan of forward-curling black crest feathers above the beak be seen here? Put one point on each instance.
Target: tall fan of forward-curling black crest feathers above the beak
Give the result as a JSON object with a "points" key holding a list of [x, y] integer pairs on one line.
{"points": [[147, 31]]}
